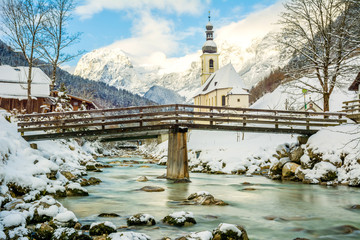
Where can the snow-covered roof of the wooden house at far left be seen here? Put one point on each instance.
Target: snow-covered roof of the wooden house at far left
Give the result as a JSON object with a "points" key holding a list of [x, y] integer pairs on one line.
{"points": [[13, 82]]}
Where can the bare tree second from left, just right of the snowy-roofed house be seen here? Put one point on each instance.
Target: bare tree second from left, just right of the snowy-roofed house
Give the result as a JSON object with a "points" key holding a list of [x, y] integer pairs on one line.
{"points": [[56, 38]]}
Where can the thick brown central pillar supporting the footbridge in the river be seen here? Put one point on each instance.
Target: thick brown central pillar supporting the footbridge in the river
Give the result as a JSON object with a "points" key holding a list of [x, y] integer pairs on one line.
{"points": [[177, 163]]}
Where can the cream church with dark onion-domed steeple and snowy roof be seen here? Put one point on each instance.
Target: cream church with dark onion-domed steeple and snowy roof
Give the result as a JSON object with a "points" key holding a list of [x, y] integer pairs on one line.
{"points": [[219, 87]]}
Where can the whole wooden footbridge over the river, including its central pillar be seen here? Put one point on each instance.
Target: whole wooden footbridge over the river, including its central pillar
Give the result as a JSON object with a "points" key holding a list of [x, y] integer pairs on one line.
{"points": [[151, 121]]}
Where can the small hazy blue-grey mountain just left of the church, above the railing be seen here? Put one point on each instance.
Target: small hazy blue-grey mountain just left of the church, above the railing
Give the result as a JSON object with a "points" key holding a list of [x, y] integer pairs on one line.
{"points": [[163, 95]]}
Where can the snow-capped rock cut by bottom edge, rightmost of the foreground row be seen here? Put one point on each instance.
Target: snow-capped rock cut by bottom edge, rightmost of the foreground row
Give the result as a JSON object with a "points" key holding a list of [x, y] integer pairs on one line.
{"points": [[229, 231]]}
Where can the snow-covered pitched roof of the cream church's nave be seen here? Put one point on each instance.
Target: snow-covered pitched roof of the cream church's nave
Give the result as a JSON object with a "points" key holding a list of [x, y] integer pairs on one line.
{"points": [[225, 77]]}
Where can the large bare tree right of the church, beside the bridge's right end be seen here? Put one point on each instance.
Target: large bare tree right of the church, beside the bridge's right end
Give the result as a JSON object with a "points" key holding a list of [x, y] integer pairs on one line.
{"points": [[324, 35]]}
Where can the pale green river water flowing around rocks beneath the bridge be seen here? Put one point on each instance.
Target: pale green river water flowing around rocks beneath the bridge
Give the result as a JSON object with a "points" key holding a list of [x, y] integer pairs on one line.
{"points": [[271, 210]]}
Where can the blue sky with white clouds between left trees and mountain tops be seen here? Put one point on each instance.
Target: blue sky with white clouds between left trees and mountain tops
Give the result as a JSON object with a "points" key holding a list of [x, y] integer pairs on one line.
{"points": [[141, 27]]}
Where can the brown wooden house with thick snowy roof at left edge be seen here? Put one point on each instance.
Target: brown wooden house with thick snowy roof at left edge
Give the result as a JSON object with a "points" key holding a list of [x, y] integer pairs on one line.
{"points": [[13, 88]]}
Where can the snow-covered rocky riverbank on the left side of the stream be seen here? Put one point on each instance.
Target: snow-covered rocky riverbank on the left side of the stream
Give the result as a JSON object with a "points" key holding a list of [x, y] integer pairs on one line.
{"points": [[31, 180]]}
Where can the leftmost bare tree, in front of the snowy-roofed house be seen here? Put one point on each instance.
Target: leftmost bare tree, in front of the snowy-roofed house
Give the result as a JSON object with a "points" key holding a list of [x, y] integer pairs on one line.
{"points": [[22, 21]]}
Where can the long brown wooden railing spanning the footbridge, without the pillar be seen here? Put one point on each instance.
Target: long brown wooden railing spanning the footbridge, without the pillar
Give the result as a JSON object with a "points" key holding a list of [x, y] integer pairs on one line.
{"points": [[165, 116]]}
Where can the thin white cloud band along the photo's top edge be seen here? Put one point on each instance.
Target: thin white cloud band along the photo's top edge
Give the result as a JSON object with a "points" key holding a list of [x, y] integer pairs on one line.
{"points": [[192, 7]]}
